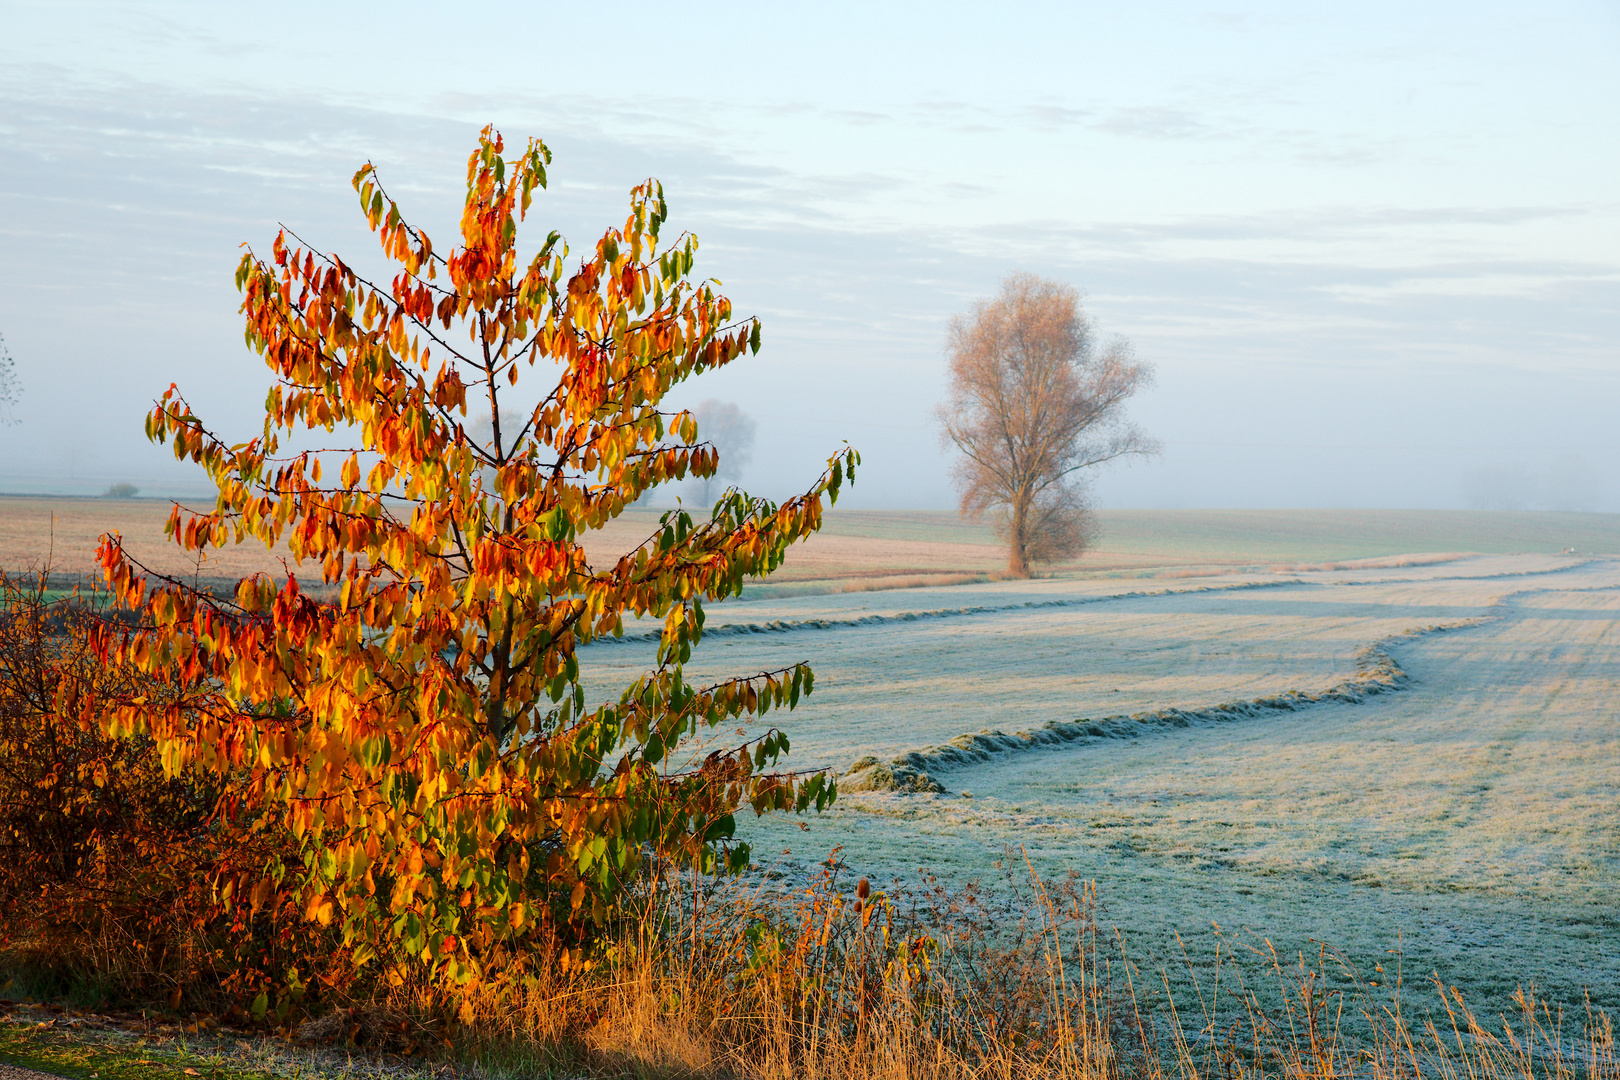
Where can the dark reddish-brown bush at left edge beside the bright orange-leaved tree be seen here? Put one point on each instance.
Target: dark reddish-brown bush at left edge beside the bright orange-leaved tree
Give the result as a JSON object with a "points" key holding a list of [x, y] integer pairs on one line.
{"points": [[109, 869]]}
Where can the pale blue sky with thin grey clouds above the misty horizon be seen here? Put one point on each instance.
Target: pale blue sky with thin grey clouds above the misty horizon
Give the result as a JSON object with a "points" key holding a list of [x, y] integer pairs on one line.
{"points": [[1373, 250]]}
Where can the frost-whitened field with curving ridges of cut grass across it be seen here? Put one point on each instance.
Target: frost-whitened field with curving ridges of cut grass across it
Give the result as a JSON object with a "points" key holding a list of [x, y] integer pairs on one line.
{"points": [[1451, 794]]}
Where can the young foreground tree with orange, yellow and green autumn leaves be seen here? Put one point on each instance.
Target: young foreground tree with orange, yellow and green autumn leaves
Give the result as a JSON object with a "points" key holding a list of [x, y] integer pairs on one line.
{"points": [[420, 721]]}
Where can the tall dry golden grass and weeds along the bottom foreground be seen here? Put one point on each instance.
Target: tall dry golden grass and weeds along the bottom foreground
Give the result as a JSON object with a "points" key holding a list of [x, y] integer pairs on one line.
{"points": [[843, 984]]}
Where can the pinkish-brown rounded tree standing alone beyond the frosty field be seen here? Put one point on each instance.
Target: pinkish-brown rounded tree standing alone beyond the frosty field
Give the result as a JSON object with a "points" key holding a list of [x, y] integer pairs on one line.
{"points": [[1033, 402]]}
